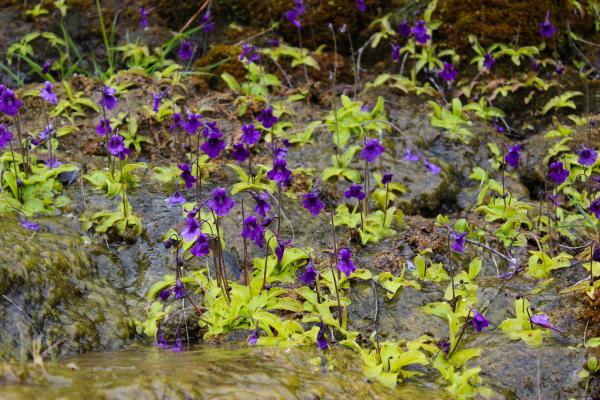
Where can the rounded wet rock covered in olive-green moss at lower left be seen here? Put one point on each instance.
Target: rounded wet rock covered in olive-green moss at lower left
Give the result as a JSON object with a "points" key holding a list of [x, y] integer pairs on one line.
{"points": [[50, 291]]}
